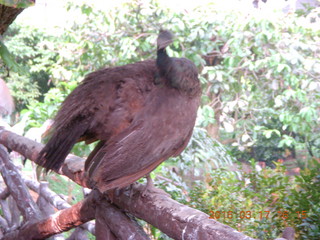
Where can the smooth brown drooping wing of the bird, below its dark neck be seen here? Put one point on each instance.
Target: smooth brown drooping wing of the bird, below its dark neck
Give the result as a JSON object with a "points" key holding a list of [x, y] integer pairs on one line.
{"points": [[161, 130]]}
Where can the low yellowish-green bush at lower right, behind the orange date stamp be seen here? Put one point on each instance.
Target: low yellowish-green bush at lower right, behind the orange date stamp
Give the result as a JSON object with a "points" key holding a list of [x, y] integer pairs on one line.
{"points": [[262, 204]]}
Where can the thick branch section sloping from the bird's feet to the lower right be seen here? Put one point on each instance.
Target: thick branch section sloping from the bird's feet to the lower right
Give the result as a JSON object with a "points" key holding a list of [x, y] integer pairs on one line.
{"points": [[176, 220]]}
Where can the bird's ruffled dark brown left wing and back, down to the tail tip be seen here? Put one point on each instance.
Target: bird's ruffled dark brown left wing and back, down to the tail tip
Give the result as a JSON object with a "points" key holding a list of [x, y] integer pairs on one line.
{"points": [[102, 106]]}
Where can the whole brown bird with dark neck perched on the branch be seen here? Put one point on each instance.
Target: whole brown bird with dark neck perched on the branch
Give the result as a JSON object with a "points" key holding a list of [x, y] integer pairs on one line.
{"points": [[142, 114]]}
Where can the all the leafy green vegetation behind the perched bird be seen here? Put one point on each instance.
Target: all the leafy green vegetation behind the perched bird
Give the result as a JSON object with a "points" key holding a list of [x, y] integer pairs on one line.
{"points": [[260, 103]]}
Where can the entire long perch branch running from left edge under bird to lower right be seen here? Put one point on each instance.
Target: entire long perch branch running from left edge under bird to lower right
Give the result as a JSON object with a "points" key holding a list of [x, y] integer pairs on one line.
{"points": [[174, 219]]}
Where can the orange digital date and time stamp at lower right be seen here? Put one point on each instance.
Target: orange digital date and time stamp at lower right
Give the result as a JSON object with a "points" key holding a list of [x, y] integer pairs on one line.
{"points": [[256, 214]]}
